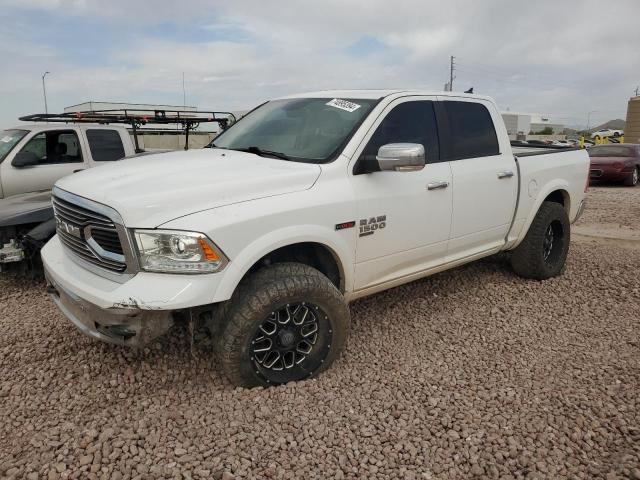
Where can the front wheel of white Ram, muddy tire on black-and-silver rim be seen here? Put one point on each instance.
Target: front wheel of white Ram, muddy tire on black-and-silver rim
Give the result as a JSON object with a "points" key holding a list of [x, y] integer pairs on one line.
{"points": [[286, 322]]}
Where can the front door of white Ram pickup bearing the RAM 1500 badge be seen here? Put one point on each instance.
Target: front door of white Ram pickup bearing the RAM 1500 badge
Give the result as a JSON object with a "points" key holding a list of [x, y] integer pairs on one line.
{"points": [[404, 218]]}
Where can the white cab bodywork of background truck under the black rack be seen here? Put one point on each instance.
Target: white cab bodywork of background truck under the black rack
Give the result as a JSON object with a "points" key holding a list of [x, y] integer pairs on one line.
{"points": [[42, 177]]}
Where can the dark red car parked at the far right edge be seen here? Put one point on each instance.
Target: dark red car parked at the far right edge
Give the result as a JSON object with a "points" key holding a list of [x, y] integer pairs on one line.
{"points": [[616, 163]]}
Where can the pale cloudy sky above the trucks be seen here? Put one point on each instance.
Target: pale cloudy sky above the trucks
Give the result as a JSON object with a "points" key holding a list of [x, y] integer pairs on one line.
{"points": [[561, 58]]}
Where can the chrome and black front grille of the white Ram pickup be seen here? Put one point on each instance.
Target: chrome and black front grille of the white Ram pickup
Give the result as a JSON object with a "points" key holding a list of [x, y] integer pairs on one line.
{"points": [[71, 225]]}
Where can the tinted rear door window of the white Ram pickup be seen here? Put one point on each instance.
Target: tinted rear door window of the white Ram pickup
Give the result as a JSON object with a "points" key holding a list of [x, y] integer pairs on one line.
{"points": [[471, 131]]}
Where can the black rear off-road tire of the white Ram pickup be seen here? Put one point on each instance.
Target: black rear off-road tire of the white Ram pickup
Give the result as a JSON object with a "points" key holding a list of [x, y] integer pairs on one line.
{"points": [[528, 259]]}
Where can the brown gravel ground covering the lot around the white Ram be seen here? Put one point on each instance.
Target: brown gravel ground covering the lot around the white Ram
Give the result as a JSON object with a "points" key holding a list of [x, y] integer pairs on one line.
{"points": [[473, 373]]}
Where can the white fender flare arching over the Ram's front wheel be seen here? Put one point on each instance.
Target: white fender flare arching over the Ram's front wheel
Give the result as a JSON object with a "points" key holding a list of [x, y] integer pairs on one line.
{"points": [[249, 255]]}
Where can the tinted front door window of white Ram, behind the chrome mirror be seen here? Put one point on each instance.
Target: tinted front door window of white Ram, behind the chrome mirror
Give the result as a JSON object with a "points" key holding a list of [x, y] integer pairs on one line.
{"points": [[409, 122]]}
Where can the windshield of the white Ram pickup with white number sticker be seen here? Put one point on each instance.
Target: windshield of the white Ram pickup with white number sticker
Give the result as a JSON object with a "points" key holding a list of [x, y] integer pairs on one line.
{"points": [[302, 129]]}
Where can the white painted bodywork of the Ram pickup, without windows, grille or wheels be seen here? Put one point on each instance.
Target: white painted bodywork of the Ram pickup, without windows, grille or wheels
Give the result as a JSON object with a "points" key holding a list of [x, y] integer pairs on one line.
{"points": [[250, 206]]}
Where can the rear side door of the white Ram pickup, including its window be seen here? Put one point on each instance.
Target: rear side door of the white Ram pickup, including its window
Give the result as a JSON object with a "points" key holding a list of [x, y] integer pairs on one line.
{"points": [[485, 180]]}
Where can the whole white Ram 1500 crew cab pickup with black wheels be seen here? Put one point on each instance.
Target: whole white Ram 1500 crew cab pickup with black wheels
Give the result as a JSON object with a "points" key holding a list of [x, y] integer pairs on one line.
{"points": [[307, 203]]}
